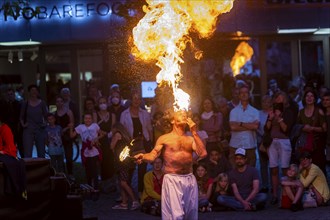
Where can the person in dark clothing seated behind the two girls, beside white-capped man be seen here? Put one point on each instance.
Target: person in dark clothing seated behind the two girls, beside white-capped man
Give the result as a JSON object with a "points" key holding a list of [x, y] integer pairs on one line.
{"points": [[217, 163]]}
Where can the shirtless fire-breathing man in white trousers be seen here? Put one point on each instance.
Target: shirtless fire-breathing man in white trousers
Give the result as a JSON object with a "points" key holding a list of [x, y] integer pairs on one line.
{"points": [[179, 190]]}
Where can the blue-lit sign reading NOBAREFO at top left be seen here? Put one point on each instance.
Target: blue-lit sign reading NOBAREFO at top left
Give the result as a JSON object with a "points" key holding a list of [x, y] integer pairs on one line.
{"points": [[78, 10]]}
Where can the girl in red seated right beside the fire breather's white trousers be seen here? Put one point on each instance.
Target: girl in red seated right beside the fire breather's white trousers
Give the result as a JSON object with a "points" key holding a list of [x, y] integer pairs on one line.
{"points": [[203, 182]]}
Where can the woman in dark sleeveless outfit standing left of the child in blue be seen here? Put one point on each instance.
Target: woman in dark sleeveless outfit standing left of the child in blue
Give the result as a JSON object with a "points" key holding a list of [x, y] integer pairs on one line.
{"points": [[33, 120]]}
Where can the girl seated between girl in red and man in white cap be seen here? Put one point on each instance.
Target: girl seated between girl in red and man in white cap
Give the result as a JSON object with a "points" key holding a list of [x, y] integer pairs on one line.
{"points": [[220, 186]]}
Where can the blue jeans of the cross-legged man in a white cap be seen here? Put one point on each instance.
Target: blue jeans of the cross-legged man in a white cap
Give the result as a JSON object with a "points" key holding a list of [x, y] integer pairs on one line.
{"points": [[232, 202]]}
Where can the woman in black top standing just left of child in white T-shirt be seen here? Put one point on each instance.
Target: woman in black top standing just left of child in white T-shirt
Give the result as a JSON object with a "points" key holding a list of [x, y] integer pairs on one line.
{"points": [[65, 119]]}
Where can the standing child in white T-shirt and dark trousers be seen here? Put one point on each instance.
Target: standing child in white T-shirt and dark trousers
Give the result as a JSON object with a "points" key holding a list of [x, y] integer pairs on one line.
{"points": [[91, 156]]}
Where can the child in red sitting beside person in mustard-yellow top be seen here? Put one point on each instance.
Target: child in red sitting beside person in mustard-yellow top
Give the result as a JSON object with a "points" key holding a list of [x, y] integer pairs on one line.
{"points": [[292, 189]]}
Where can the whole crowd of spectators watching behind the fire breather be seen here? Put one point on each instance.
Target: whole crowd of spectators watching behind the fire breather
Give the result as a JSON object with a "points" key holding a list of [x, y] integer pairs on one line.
{"points": [[289, 135]]}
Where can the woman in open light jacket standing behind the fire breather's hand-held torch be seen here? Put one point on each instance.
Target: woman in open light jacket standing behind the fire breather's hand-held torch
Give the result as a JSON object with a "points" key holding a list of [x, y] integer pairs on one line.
{"points": [[138, 123]]}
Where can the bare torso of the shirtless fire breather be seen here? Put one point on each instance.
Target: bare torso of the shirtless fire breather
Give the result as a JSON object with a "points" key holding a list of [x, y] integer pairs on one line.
{"points": [[177, 153]]}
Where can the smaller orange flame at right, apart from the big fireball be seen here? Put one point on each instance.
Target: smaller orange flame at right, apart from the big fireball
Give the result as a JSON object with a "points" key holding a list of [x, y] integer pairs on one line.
{"points": [[243, 54]]}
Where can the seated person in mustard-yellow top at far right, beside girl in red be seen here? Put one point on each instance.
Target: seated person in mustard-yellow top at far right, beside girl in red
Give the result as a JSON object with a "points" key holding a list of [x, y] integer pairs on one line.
{"points": [[312, 177]]}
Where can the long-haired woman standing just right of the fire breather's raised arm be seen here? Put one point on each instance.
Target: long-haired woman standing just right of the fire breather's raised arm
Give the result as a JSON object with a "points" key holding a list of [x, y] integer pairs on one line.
{"points": [[211, 123]]}
